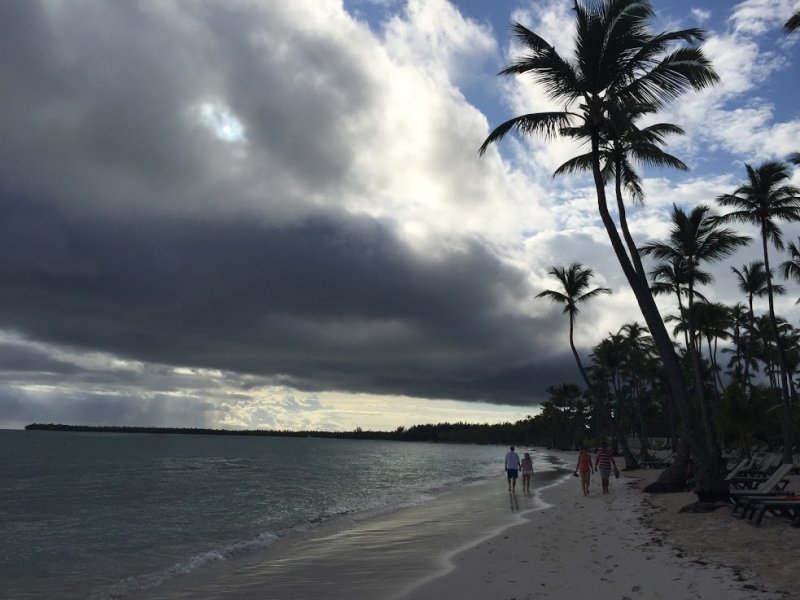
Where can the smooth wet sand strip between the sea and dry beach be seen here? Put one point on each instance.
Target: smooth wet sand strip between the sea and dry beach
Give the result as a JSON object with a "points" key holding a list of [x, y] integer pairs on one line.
{"points": [[380, 557]]}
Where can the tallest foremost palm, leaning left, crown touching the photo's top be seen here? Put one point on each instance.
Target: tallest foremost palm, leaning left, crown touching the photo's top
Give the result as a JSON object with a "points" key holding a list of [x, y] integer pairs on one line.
{"points": [[620, 64]]}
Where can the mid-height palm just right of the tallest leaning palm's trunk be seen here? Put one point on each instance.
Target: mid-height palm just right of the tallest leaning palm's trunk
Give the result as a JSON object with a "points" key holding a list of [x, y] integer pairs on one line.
{"points": [[694, 238]]}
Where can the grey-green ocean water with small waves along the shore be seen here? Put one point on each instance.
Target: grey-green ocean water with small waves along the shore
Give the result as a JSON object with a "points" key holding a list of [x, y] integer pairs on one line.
{"points": [[101, 516]]}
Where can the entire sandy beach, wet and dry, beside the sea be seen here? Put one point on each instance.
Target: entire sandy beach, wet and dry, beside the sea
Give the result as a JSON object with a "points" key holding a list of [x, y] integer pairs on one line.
{"points": [[482, 543]]}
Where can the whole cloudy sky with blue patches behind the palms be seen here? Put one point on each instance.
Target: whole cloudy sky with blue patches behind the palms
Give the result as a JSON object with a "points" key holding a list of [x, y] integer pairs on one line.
{"points": [[250, 214]]}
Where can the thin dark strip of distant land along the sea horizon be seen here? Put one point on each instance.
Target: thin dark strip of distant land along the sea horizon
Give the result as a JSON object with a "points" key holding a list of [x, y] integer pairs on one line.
{"points": [[521, 432]]}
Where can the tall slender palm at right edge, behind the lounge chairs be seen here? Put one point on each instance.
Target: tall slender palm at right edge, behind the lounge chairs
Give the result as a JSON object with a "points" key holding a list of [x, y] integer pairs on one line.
{"points": [[764, 200]]}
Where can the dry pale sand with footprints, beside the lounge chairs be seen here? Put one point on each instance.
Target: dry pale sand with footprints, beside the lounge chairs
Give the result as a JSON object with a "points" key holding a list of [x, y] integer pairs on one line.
{"points": [[604, 547]]}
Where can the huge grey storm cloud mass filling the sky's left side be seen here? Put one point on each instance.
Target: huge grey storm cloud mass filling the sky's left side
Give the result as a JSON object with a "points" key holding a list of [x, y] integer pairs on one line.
{"points": [[128, 227]]}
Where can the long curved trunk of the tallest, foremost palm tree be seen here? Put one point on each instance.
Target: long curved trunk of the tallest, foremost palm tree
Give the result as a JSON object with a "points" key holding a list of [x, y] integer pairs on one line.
{"points": [[709, 483]]}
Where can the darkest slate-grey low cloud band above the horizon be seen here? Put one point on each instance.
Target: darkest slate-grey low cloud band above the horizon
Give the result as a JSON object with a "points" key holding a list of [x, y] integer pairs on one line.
{"points": [[329, 303]]}
